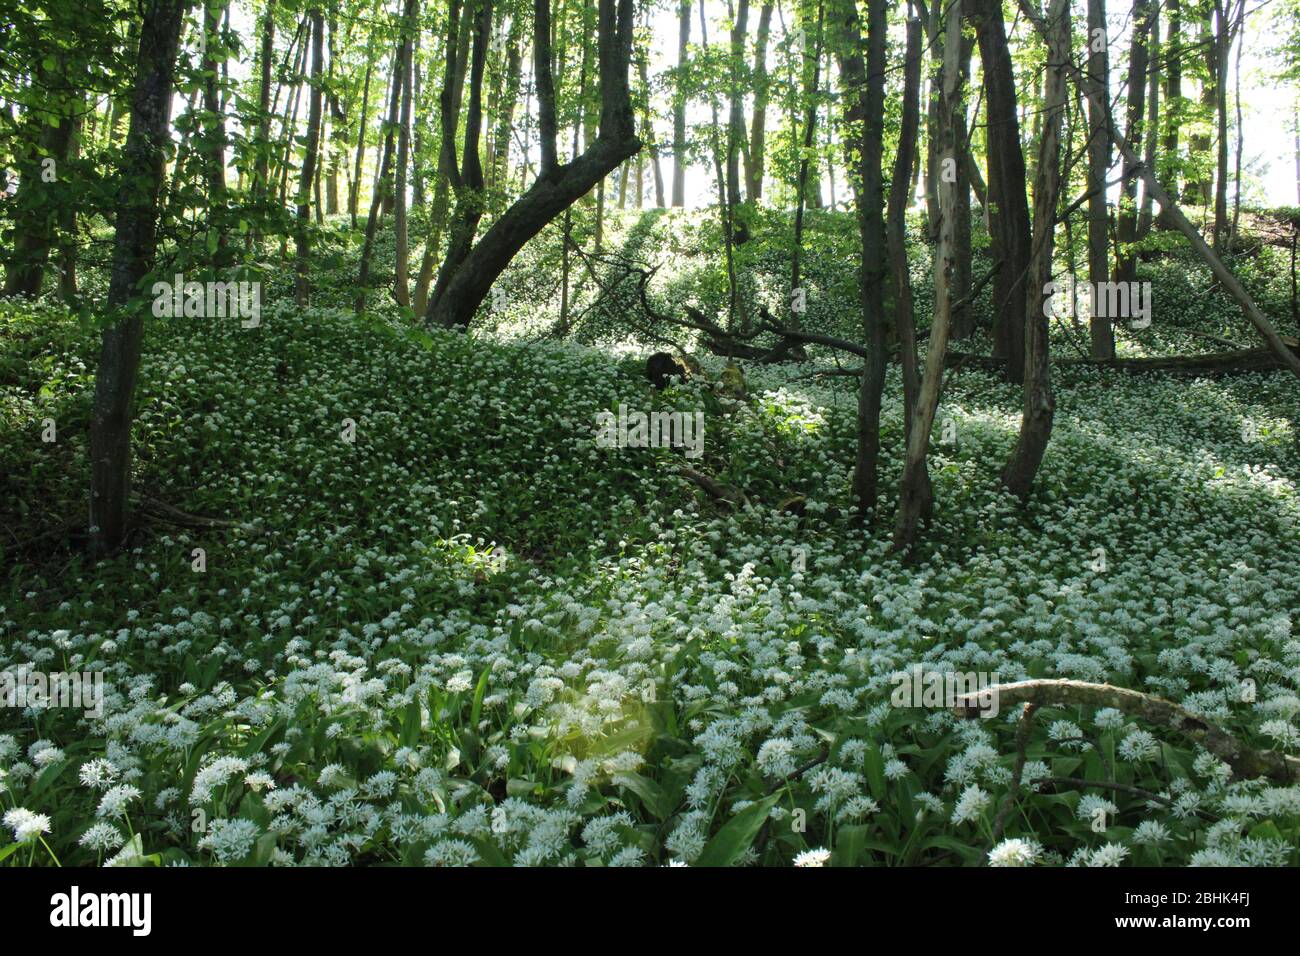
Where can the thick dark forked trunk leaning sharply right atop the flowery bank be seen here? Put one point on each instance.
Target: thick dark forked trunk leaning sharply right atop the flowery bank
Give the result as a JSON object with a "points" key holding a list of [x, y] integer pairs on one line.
{"points": [[557, 187]]}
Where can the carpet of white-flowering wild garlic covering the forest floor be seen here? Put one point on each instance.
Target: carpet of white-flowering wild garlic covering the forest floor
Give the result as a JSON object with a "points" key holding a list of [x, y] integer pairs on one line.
{"points": [[450, 629]]}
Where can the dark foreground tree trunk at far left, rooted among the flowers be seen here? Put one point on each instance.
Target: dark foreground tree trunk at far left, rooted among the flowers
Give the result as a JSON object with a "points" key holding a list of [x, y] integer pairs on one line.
{"points": [[135, 248]]}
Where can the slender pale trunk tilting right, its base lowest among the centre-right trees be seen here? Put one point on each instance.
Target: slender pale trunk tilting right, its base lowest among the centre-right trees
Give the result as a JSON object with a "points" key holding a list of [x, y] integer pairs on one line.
{"points": [[915, 491]]}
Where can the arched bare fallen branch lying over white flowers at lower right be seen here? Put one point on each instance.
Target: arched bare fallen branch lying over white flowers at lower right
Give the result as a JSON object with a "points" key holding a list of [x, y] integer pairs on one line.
{"points": [[1246, 763]]}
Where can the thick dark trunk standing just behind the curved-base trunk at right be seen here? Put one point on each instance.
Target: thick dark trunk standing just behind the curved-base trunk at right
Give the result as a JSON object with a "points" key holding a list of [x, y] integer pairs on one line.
{"points": [[1007, 180]]}
